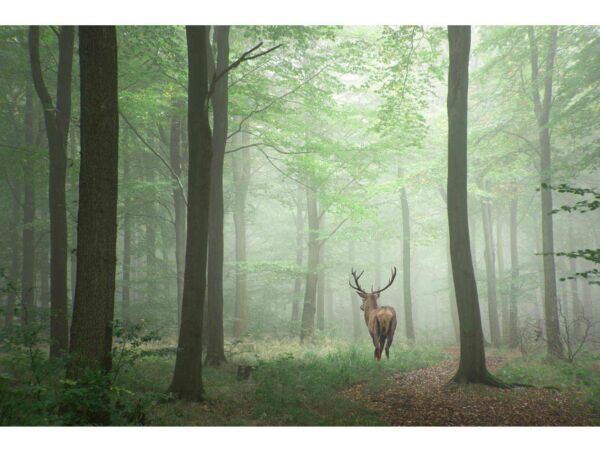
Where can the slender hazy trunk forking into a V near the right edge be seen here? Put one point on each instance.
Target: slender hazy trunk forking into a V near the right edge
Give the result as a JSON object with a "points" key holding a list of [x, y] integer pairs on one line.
{"points": [[542, 112]]}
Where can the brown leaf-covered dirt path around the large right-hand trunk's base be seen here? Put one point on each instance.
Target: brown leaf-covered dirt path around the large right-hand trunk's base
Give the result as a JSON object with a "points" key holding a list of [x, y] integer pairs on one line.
{"points": [[423, 397]]}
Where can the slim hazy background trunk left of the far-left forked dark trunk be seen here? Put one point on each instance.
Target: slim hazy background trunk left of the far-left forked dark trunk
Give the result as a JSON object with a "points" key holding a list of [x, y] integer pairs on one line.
{"points": [[28, 241]]}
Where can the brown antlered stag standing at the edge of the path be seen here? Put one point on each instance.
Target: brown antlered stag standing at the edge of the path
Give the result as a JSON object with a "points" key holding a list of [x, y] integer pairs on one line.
{"points": [[381, 320]]}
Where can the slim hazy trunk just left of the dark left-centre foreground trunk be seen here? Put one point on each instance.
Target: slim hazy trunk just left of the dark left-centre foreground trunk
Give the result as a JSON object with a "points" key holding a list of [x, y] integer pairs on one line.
{"points": [[178, 201]]}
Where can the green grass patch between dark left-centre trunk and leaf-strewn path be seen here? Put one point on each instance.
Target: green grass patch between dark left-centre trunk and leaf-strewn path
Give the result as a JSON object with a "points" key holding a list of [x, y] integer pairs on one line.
{"points": [[290, 384]]}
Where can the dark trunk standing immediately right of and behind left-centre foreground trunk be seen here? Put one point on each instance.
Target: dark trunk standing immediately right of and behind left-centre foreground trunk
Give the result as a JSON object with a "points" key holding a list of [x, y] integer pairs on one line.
{"points": [[215, 347]]}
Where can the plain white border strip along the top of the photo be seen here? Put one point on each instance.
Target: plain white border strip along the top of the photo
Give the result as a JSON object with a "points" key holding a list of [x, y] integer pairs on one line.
{"points": [[301, 12]]}
